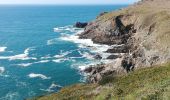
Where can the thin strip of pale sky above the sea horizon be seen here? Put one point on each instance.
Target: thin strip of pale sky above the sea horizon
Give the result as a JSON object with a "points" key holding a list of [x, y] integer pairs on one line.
{"points": [[67, 2]]}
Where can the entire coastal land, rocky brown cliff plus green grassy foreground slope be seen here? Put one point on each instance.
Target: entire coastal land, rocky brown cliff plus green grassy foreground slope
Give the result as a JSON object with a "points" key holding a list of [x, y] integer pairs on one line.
{"points": [[141, 33]]}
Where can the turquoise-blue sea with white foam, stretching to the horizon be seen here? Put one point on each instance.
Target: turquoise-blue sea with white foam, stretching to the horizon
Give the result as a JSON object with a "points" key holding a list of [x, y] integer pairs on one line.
{"points": [[39, 52]]}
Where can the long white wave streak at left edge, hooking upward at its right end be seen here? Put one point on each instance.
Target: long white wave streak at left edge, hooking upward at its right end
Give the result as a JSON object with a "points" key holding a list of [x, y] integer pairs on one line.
{"points": [[24, 56]]}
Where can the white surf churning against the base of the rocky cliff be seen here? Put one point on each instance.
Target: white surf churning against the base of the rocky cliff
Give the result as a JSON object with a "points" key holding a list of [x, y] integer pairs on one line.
{"points": [[99, 54]]}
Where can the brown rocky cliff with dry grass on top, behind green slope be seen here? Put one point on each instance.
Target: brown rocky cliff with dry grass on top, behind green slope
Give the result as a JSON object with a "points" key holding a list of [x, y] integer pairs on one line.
{"points": [[141, 32]]}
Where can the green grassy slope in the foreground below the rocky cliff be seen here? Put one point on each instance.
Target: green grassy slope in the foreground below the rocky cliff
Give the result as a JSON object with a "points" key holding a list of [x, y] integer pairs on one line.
{"points": [[146, 84]]}
